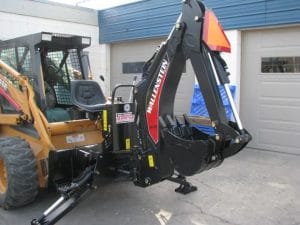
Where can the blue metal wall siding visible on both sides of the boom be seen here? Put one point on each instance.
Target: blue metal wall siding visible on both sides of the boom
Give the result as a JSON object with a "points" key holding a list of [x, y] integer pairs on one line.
{"points": [[155, 18]]}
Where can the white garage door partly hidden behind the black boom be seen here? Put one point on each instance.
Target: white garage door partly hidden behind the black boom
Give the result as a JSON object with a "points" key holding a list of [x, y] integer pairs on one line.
{"points": [[126, 60]]}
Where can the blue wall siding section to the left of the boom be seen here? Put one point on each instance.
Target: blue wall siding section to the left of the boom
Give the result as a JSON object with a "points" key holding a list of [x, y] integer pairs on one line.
{"points": [[149, 18]]}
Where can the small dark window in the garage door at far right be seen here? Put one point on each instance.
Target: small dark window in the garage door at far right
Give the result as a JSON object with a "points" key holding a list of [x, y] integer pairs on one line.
{"points": [[280, 64]]}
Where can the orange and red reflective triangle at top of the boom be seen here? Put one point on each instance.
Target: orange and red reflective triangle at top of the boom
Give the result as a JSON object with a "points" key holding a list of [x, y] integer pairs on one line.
{"points": [[213, 33]]}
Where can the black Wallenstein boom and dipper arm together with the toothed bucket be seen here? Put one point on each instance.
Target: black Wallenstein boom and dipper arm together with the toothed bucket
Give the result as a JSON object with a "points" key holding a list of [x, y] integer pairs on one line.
{"points": [[170, 143]]}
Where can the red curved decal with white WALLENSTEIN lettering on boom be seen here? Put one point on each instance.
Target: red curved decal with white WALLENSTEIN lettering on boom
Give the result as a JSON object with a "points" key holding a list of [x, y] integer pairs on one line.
{"points": [[152, 113]]}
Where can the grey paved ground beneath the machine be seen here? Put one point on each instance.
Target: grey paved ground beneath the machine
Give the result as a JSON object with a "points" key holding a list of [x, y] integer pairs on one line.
{"points": [[252, 188]]}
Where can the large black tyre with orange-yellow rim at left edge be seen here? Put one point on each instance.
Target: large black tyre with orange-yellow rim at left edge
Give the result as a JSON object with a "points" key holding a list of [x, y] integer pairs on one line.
{"points": [[18, 173]]}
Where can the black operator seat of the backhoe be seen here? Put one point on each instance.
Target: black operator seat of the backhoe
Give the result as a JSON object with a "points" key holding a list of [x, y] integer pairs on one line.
{"points": [[87, 95]]}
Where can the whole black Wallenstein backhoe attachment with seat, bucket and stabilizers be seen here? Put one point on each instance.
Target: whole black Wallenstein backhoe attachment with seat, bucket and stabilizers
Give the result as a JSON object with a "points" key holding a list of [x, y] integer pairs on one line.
{"points": [[143, 137]]}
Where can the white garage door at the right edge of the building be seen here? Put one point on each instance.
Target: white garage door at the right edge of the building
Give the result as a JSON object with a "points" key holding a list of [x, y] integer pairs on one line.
{"points": [[270, 88]]}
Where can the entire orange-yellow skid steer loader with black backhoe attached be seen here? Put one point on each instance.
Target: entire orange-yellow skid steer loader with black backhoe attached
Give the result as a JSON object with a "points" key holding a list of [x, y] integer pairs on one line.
{"points": [[58, 129]]}
